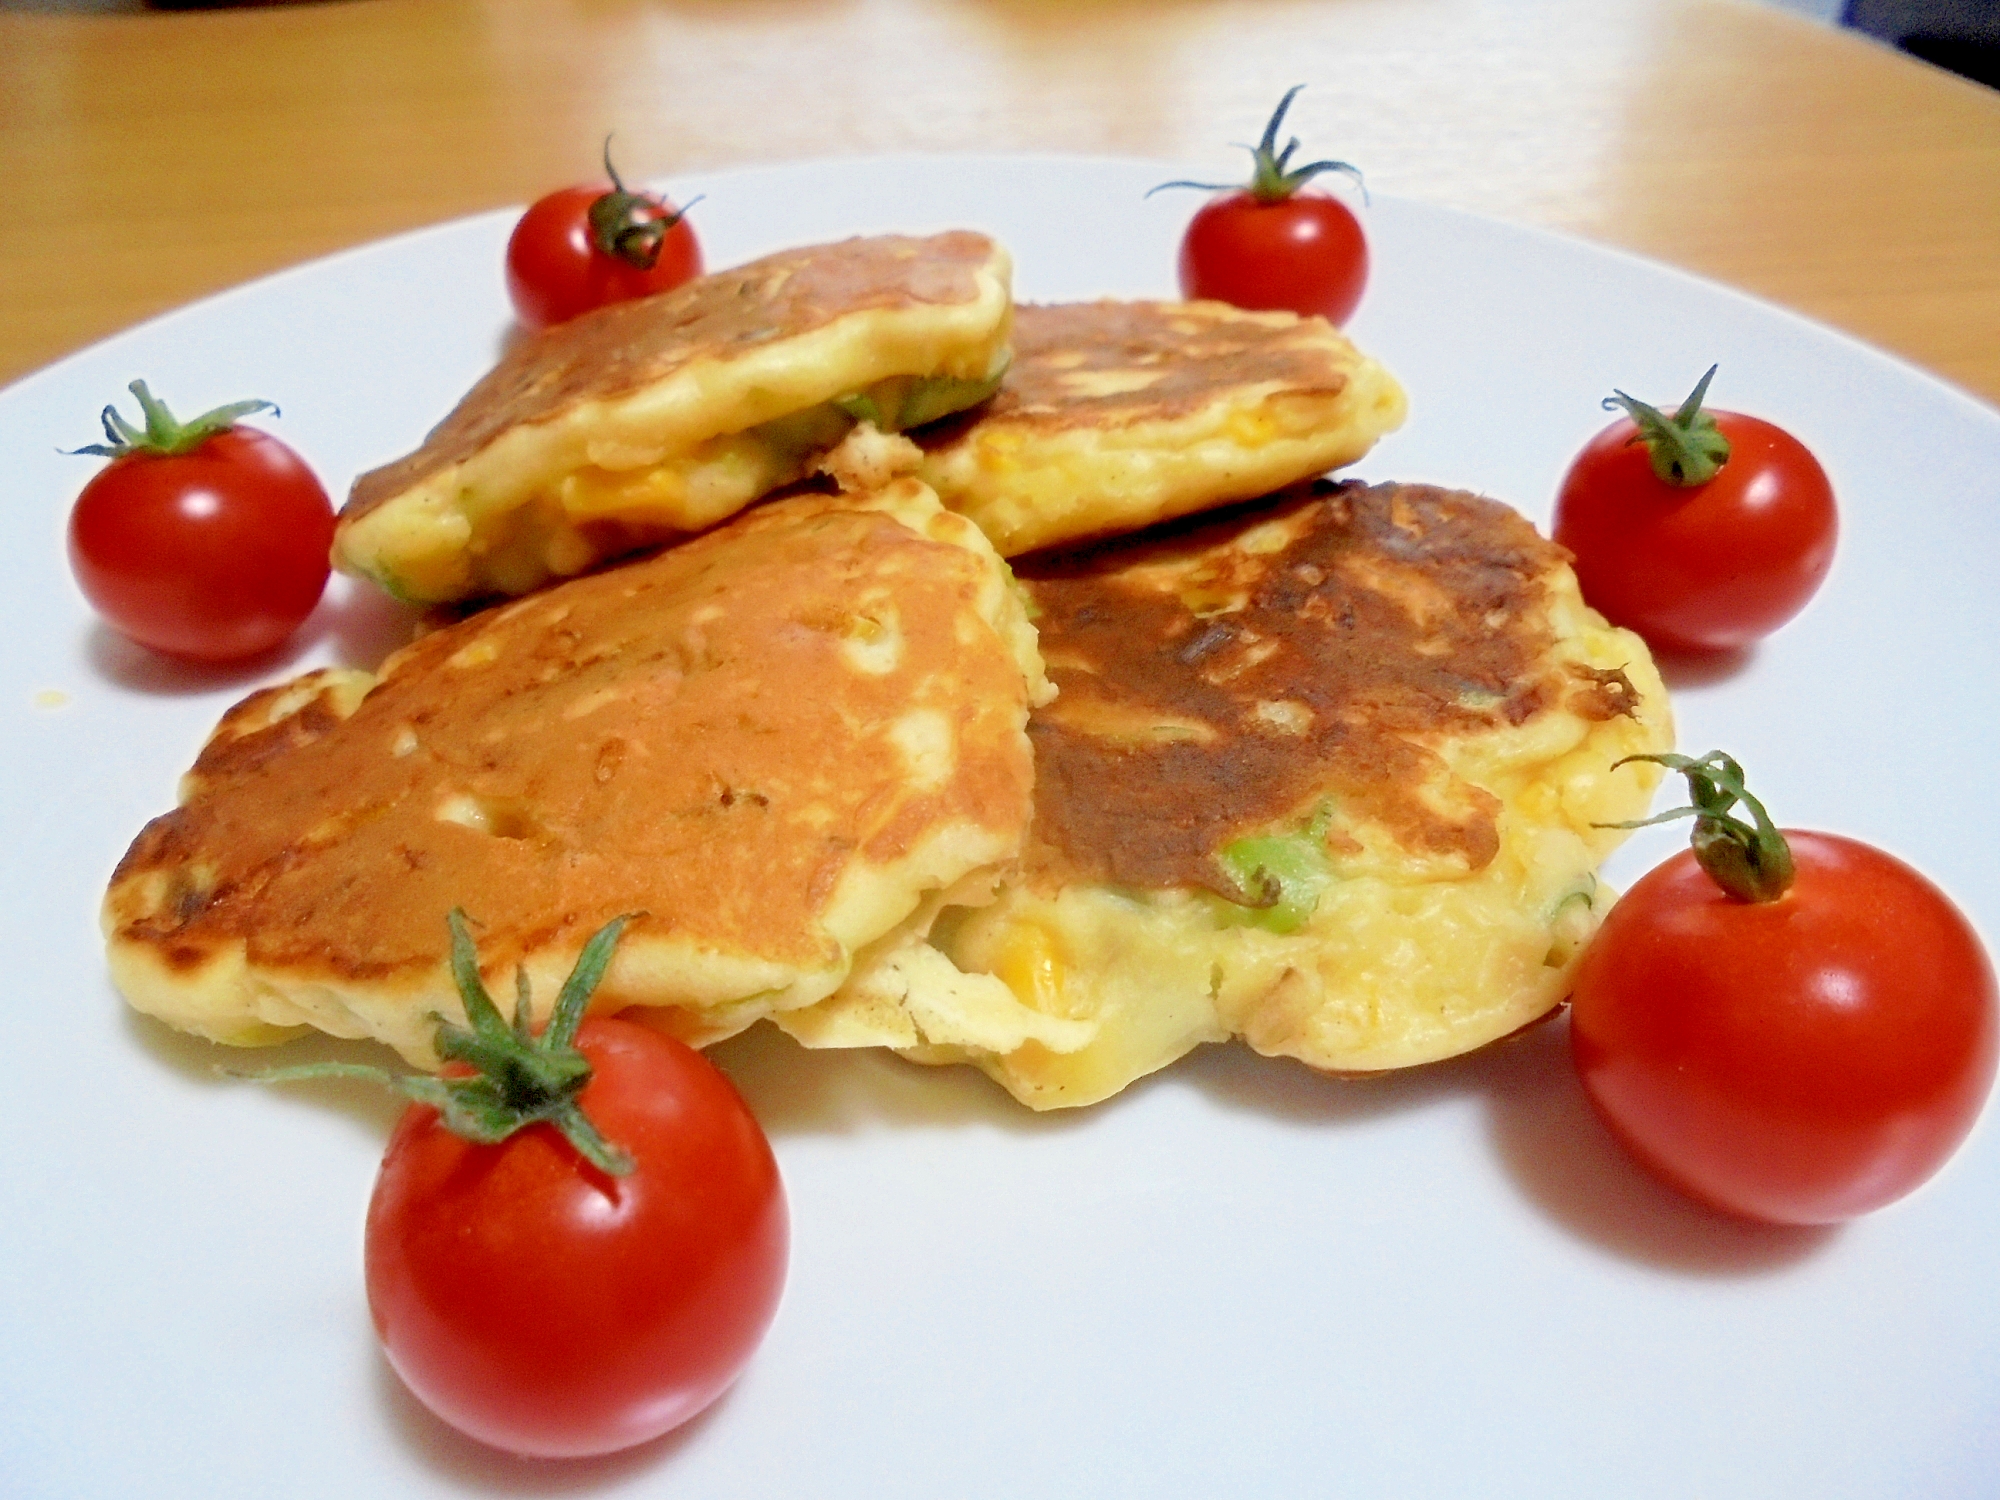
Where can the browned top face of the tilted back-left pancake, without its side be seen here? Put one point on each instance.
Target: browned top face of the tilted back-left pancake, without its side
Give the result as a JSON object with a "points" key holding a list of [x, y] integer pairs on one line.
{"points": [[633, 345]]}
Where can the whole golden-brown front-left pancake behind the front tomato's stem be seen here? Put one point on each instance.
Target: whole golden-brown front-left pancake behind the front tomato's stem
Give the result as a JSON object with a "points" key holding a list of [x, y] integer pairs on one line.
{"points": [[777, 745]]}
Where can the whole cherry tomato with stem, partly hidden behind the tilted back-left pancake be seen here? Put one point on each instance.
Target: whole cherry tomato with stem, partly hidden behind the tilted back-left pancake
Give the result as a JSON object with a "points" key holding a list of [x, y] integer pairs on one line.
{"points": [[561, 263]]}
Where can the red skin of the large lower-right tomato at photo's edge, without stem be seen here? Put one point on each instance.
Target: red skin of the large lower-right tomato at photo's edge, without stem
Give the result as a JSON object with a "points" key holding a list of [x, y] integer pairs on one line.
{"points": [[1801, 1061]]}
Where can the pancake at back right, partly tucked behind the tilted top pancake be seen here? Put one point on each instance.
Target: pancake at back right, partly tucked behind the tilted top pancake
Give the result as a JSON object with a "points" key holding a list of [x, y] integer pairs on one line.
{"points": [[1121, 415]]}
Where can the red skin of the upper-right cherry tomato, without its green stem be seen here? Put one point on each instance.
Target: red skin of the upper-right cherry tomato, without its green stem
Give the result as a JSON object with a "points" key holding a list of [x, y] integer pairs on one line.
{"points": [[1699, 569]]}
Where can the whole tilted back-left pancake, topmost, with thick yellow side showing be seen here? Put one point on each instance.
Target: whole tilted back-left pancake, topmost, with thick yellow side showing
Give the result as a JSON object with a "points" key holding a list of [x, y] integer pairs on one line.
{"points": [[663, 417]]}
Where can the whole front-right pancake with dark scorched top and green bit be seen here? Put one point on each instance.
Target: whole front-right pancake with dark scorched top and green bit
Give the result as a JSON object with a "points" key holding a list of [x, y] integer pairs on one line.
{"points": [[1323, 773]]}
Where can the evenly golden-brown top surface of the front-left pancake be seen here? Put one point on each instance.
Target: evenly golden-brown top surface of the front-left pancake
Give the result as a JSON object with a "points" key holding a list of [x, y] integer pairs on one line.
{"points": [[685, 737]]}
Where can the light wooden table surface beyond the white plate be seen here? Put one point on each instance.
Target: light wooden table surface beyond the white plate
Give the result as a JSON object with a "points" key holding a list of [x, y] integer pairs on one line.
{"points": [[155, 157]]}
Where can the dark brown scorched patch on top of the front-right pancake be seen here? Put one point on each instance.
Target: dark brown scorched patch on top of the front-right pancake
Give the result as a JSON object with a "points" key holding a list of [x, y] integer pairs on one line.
{"points": [[1209, 689]]}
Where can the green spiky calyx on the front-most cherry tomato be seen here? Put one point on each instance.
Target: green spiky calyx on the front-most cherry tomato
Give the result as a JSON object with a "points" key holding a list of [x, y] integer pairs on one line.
{"points": [[517, 1079]]}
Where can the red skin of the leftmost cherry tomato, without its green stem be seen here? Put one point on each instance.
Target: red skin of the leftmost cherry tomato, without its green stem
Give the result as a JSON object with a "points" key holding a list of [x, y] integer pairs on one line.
{"points": [[213, 555]]}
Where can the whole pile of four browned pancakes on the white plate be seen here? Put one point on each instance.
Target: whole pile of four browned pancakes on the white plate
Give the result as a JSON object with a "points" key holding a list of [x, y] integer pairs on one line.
{"points": [[1231, 751]]}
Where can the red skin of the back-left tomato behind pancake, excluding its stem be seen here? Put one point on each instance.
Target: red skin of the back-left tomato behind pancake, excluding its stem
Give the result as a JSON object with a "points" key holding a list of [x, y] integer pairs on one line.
{"points": [[555, 269]]}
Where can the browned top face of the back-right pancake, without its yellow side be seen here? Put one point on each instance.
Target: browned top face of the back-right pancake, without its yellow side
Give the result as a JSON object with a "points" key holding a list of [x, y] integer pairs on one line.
{"points": [[1105, 365]]}
